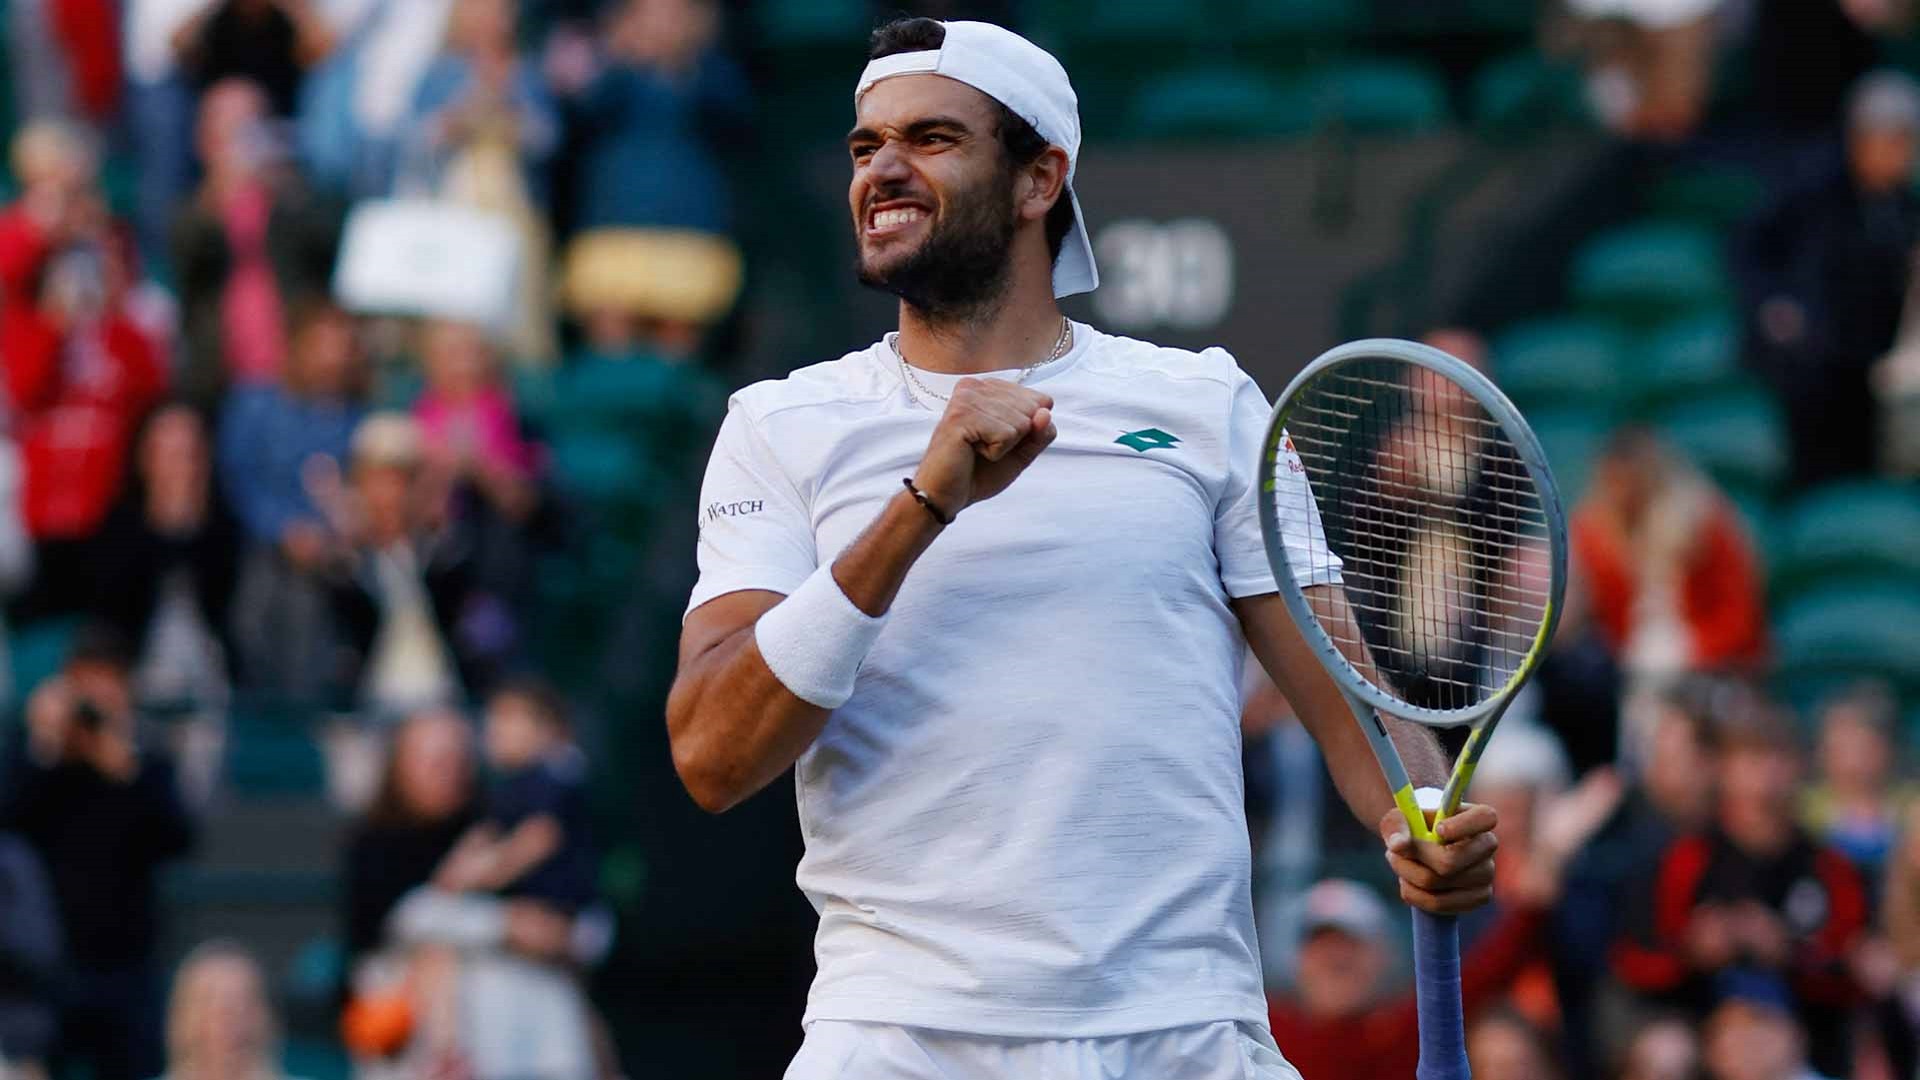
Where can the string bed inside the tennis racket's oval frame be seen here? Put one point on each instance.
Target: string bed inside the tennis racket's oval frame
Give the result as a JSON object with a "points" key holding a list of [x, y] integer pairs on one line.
{"points": [[1435, 522]]}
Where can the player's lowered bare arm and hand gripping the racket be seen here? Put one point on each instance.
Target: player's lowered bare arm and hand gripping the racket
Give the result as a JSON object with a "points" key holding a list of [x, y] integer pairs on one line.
{"points": [[1449, 877]]}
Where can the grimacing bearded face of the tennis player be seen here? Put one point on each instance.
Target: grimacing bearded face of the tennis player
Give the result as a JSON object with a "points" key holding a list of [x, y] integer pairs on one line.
{"points": [[932, 195]]}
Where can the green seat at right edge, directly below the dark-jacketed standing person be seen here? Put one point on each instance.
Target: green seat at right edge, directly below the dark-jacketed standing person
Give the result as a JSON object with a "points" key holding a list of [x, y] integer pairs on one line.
{"points": [[1848, 531]]}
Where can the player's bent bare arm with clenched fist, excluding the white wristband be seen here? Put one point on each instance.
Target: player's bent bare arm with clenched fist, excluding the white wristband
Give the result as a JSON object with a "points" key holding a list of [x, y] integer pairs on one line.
{"points": [[732, 722]]}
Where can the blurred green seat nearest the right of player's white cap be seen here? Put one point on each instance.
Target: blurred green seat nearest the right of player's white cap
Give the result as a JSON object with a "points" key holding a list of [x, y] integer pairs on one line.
{"points": [[1218, 103]]}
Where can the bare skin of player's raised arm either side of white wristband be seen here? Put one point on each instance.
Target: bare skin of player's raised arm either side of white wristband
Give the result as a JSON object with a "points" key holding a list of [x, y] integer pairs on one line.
{"points": [[732, 722]]}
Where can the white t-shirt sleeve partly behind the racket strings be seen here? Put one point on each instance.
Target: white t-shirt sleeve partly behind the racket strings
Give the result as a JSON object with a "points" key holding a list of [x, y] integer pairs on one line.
{"points": [[1237, 543]]}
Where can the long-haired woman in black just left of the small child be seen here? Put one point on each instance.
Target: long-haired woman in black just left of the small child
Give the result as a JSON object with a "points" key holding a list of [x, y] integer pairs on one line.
{"points": [[423, 806]]}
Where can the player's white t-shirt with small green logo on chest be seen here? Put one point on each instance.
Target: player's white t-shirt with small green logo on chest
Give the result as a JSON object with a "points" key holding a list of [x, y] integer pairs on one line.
{"points": [[1028, 822]]}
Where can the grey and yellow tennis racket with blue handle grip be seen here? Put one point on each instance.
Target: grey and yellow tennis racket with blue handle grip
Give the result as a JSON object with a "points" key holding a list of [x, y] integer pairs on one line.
{"points": [[1416, 504]]}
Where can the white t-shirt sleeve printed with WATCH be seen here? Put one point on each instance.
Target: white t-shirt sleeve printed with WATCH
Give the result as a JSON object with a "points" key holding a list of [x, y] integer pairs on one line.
{"points": [[756, 531]]}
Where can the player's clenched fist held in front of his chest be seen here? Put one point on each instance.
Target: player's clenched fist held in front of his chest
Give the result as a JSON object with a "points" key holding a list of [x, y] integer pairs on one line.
{"points": [[990, 433]]}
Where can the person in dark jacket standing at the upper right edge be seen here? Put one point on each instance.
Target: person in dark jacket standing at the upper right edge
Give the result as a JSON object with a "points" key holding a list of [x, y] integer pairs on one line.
{"points": [[1825, 276]]}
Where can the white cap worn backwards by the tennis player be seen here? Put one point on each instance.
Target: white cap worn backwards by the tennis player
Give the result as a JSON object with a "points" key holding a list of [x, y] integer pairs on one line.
{"points": [[1026, 80]]}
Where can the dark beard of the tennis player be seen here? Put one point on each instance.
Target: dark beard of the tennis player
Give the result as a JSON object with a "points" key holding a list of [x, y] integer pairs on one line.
{"points": [[965, 262]]}
